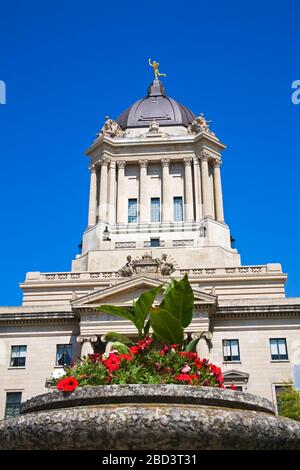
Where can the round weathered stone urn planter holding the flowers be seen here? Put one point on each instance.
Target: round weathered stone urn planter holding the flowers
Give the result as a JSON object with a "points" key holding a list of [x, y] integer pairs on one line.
{"points": [[149, 417]]}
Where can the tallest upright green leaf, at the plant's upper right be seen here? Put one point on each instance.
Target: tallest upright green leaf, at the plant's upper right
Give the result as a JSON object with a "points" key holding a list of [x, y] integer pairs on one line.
{"points": [[179, 301]]}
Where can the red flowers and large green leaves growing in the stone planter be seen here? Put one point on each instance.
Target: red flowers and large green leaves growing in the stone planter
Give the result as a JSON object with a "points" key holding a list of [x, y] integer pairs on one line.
{"points": [[163, 358]]}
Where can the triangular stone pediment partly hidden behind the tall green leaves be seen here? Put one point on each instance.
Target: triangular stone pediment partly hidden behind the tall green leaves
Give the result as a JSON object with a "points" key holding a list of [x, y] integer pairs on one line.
{"points": [[126, 291]]}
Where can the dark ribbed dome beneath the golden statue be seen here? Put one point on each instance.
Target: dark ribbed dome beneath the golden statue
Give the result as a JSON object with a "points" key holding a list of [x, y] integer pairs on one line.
{"points": [[156, 106]]}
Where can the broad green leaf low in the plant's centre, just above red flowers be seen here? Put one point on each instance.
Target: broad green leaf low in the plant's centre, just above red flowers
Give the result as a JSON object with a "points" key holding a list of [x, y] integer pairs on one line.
{"points": [[166, 326]]}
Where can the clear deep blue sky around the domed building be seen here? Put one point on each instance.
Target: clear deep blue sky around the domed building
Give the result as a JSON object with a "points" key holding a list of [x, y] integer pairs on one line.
{"points": [[67, 64]]}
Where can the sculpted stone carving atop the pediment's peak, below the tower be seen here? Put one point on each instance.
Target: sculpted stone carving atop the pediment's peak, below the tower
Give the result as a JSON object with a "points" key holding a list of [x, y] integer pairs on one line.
{"points": [[147, 264]]}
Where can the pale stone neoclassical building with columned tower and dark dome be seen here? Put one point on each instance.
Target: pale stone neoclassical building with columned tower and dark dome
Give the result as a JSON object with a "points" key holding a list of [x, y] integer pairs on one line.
{"points": [[155, 211]]}
